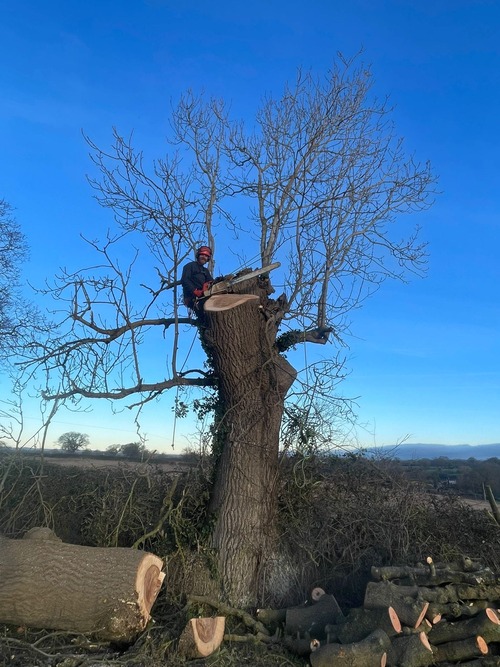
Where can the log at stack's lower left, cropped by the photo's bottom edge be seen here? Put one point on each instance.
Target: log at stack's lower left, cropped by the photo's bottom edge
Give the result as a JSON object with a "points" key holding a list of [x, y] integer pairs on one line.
{"points": [[370, 652]]}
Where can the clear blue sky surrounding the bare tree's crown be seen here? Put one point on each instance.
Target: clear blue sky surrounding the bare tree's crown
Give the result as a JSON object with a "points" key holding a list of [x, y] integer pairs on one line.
{"points": [[424, 357]]}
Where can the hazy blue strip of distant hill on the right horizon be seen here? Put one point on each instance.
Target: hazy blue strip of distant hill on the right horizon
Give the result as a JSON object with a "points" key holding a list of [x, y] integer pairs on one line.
{"points": [[408, 452]]}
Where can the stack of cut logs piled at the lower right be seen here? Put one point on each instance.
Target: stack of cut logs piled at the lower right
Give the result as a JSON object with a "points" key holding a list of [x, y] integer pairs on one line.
{"points": [[432, 614]]}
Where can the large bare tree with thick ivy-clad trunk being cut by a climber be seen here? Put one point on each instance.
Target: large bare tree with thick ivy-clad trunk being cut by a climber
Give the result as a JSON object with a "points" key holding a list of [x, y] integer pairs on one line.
{"points": [[318, 183]]}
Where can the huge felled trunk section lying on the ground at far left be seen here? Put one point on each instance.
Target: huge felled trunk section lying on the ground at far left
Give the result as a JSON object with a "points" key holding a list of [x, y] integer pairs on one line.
{"points": [[48, 584]]}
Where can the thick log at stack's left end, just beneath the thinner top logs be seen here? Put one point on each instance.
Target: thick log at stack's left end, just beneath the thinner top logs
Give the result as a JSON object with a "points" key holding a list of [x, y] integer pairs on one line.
{"points": [[410, 610]]}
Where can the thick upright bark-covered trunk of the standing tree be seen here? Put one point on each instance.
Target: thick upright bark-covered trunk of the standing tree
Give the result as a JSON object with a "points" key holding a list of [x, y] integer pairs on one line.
{"points": [[253, 380]]}
